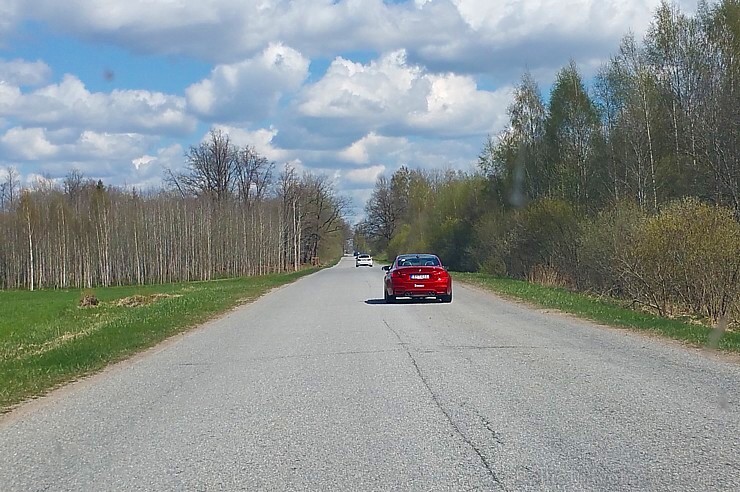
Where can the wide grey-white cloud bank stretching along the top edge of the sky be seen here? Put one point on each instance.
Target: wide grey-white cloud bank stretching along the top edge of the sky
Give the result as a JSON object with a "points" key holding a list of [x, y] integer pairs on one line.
{"points": [[470, 34]]}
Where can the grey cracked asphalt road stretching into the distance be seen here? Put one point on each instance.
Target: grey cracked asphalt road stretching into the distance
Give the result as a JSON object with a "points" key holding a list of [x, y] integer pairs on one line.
{"points": [[321, 386]]}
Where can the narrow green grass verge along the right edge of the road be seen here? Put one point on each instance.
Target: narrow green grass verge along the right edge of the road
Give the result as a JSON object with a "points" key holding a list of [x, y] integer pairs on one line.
{"points": [[602, 310]]}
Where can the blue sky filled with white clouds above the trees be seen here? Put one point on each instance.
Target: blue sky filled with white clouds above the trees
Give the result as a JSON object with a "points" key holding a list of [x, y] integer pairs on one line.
{"points": [[120, 89]]}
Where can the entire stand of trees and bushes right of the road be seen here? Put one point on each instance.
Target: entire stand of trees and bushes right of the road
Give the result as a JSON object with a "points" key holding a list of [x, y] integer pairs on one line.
{"points": [[628, 185]]}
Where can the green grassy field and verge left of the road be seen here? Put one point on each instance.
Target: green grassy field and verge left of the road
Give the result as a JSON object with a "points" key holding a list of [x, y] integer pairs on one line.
{"points": [[47, 340]]}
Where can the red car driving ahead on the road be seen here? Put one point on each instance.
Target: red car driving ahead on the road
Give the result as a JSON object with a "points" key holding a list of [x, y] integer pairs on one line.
{"points": [[417, 276]]}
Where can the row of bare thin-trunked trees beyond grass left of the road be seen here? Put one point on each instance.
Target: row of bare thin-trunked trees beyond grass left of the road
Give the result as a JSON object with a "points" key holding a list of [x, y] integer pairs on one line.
{"points": [[228, 213]]}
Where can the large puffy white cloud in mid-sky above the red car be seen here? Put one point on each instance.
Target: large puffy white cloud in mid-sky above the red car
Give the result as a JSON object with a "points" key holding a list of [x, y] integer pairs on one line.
{"points": [[397, 97]]}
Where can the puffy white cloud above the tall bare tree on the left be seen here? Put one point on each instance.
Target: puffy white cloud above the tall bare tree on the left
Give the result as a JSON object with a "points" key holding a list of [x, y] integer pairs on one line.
{"points": [[248, 90]]}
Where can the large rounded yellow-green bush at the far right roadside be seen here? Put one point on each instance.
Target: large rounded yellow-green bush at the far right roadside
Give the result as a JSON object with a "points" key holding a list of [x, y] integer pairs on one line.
{"points": [[687, 259]]}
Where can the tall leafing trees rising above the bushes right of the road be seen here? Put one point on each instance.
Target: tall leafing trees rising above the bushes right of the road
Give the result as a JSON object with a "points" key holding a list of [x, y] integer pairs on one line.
{"points": [[660, 121]]}
